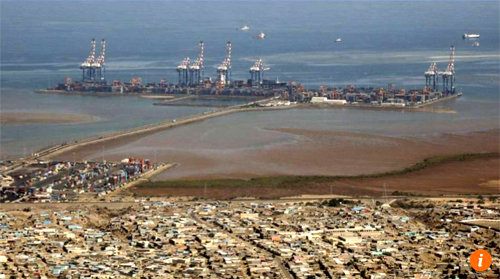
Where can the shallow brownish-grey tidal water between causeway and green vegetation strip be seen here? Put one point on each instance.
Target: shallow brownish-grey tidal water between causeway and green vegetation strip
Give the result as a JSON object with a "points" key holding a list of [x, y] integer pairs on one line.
{"points": [[204, 151]]}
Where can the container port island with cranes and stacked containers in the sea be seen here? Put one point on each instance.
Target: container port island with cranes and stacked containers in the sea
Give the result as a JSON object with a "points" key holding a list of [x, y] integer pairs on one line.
{"points": [[439, 85]]}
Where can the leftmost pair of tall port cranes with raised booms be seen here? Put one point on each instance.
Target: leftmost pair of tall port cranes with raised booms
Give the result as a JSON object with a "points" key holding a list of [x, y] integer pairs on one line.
{"points": [[93, 69]]}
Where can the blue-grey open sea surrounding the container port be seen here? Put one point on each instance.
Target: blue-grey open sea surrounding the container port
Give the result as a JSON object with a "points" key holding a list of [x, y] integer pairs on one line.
{"points": [[383, 42]]}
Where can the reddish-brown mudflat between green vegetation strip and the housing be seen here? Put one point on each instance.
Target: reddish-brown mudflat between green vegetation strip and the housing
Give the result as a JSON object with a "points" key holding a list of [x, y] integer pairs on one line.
{"points": [[452, 179]]}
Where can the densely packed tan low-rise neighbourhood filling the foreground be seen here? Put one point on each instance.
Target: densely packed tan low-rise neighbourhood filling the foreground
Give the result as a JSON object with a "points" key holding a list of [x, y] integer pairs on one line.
{"points": [[162, 238]]}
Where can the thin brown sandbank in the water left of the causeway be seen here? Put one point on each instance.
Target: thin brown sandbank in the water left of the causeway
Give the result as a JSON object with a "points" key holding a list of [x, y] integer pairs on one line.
{"points": [[17, 118]]}
